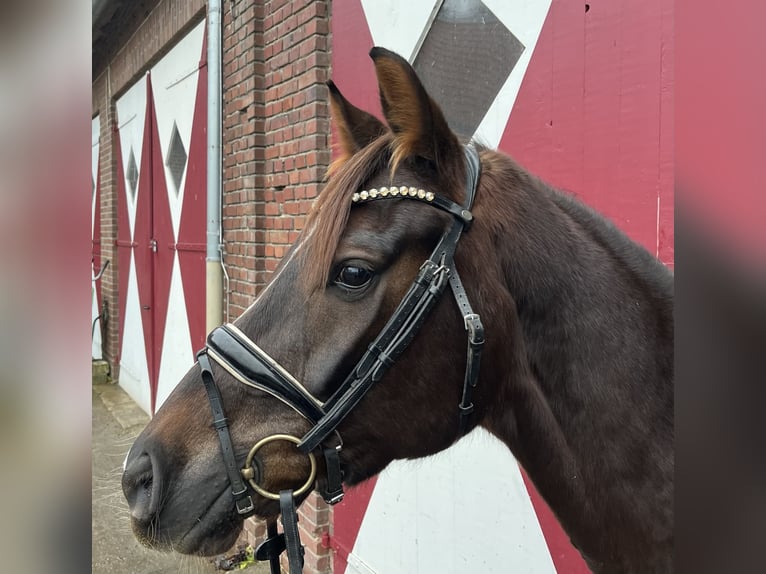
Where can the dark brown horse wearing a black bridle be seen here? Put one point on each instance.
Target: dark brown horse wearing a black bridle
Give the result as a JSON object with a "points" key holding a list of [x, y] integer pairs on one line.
{"points": [[557, 339]]}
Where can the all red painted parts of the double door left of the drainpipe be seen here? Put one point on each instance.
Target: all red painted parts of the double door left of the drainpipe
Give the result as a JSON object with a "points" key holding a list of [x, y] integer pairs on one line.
{"points": [[153, 223]]}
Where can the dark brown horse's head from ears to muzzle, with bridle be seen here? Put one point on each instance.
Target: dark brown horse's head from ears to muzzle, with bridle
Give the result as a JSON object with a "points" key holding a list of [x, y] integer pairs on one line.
{"points": [[304, 345]]}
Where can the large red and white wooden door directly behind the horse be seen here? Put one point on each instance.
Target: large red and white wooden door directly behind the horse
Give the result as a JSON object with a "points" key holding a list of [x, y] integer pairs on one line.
{"points": [[580, 94]]}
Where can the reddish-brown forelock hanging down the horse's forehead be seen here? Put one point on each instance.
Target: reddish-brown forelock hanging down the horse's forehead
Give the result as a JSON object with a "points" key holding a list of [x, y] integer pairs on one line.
{"points": [[329, 214]]}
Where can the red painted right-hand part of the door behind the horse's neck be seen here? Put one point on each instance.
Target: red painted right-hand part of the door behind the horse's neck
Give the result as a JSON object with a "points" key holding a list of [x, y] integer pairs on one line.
{"points": [[593, 117]]}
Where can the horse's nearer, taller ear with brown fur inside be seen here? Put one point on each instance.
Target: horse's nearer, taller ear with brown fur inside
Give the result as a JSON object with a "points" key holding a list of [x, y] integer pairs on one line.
{"points": [[417, 121]]}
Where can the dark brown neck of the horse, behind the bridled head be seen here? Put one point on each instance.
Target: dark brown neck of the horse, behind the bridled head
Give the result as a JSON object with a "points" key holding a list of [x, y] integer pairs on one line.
{"points": [[584, 296]]}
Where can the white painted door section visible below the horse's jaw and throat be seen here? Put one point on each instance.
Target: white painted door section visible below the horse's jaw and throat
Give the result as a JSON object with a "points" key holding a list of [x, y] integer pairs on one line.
{"points": [[440, 516]]}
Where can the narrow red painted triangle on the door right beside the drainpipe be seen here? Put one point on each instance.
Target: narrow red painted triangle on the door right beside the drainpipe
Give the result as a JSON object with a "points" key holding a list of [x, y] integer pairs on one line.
{"points": [[192, 228]]}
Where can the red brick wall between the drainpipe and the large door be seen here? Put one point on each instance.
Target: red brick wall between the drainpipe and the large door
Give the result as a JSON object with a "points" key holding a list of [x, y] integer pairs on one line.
{"points": [[275, 153]]}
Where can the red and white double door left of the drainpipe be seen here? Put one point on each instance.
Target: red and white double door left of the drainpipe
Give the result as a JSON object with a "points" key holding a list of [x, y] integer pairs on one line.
{"points": [[161, 221]]}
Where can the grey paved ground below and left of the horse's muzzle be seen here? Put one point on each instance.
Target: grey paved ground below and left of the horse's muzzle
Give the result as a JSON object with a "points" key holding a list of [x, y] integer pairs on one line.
{"points": [[117, 420]]}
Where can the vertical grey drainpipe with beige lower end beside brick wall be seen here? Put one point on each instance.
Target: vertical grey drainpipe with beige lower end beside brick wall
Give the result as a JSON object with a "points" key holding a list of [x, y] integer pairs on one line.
{"points": [[213, 260]]}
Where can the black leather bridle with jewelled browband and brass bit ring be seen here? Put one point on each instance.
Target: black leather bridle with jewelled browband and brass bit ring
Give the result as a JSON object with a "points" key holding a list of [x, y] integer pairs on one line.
{"points": [[250, 365]]}
